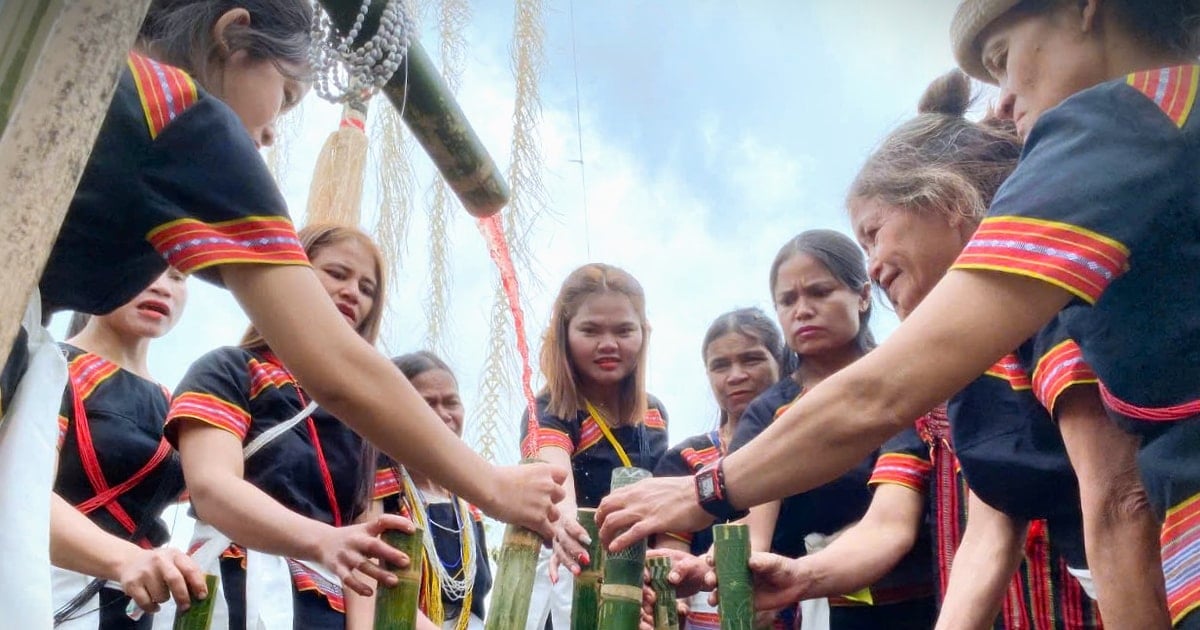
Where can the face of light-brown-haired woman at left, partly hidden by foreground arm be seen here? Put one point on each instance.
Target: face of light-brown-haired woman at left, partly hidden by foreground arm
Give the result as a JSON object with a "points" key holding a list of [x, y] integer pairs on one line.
{"points": [[347, 271]]}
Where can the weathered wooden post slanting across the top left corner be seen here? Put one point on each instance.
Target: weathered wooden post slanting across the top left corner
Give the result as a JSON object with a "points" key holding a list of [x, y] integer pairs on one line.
{"points": [[59, 63]]}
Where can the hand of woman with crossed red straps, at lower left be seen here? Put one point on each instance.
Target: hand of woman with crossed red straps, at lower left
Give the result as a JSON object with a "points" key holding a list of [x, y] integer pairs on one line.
{"points": [[153, 577]]}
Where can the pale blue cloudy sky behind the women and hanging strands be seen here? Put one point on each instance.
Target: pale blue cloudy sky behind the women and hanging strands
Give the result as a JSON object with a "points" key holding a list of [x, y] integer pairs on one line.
{"points": [[711, 133]]}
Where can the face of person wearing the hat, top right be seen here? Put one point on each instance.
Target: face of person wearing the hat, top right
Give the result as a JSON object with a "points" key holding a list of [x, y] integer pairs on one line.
{"points": [[1041, 59]]}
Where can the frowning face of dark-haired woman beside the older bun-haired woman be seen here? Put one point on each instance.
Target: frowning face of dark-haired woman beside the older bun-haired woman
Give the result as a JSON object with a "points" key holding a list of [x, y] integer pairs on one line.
{"points": [[818, 313]]}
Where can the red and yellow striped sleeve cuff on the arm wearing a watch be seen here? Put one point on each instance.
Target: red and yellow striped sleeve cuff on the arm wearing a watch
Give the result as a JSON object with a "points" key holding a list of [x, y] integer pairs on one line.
{"points": [[1079, 261]]}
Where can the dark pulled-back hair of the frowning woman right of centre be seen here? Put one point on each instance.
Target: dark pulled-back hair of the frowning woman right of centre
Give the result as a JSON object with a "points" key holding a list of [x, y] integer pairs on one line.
{"points": [[844, 260]]}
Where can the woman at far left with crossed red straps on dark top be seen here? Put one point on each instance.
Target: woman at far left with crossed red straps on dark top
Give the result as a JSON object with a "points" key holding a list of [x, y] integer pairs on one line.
{"points": [[116, 472]]}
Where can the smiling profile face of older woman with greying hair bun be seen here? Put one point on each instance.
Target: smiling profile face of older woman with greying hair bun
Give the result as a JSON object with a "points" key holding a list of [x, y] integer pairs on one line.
{"points": [[908, 251]]}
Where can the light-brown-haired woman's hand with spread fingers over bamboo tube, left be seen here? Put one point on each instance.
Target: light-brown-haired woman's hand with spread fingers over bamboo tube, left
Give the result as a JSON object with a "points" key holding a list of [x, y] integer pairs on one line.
{"points": [[344, 550]]}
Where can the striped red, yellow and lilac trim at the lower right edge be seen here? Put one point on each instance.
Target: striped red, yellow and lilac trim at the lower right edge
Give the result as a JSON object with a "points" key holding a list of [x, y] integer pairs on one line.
{"points": [[1181, 559]]}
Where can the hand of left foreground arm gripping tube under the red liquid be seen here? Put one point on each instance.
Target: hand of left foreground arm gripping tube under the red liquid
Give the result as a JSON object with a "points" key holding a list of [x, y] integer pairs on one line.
{"points": [[526, 495]]}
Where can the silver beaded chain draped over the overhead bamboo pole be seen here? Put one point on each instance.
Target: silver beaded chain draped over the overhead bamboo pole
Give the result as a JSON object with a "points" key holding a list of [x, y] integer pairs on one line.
{"points": [[349, 74]]}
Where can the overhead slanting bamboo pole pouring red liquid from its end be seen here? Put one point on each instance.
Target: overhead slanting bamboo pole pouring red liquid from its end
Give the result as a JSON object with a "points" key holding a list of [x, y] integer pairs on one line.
{"points": [[429, 109]]}
